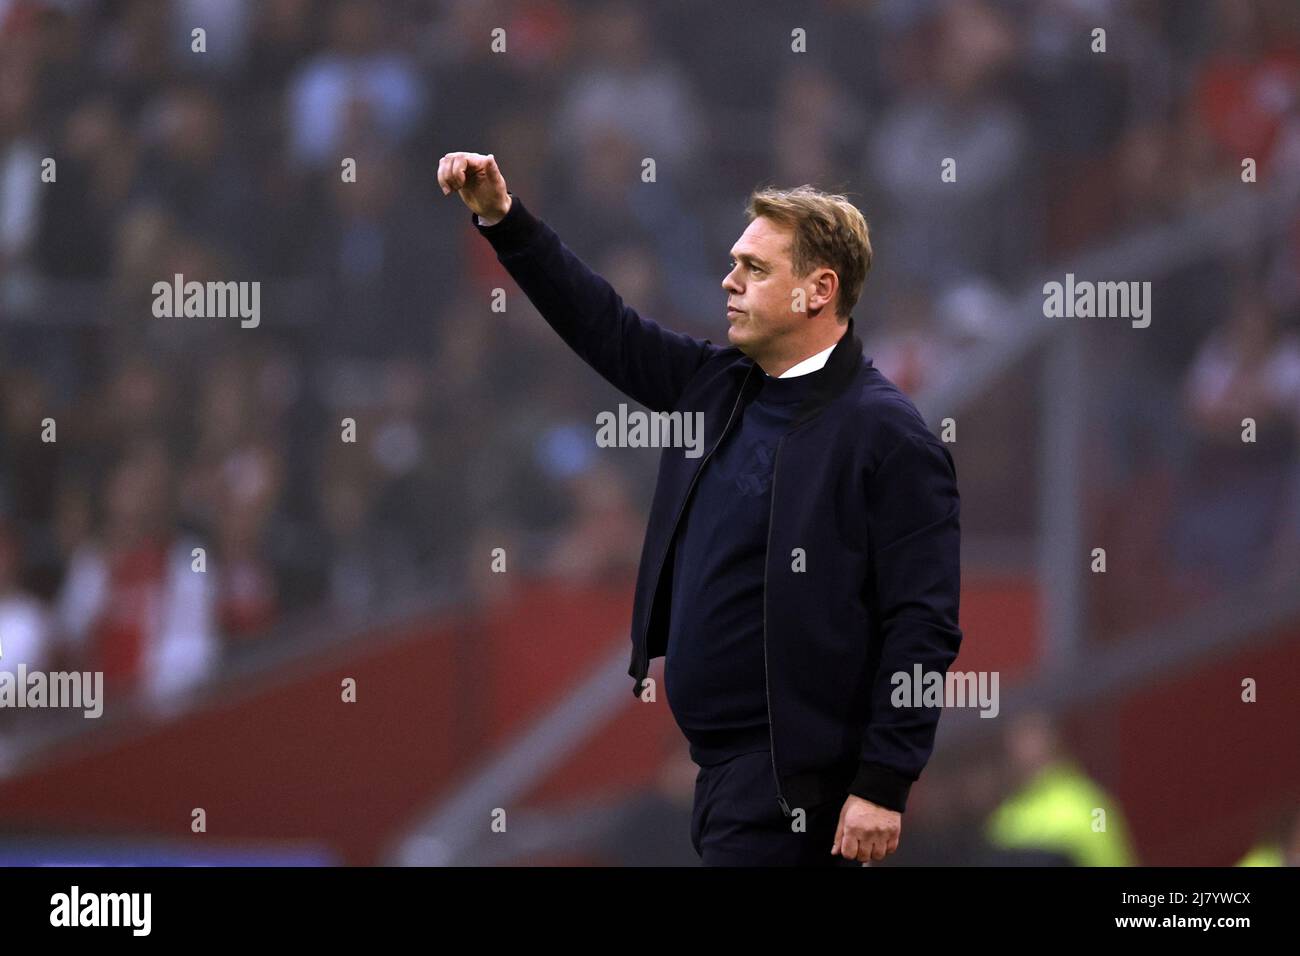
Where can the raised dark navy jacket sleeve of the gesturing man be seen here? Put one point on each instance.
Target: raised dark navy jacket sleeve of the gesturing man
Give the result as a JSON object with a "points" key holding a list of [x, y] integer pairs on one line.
{"points": [[642, 360]]}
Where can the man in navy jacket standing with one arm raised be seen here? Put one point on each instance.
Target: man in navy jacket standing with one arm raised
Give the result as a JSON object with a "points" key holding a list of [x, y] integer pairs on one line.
{"points": [[800, 564]]}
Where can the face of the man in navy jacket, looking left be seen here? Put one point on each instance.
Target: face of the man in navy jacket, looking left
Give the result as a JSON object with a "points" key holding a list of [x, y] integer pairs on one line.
{"points": [[760, 285]]}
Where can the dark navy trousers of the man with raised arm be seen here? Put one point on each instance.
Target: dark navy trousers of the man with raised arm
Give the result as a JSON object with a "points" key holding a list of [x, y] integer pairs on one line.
{"points": [[738, 823]]}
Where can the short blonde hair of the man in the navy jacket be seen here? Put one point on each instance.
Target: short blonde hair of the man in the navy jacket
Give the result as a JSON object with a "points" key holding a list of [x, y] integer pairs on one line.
{"points": [[829, 231]]}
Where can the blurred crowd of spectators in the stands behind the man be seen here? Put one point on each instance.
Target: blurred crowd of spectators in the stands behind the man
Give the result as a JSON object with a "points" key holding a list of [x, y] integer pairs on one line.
{"points": [[474, 427]]}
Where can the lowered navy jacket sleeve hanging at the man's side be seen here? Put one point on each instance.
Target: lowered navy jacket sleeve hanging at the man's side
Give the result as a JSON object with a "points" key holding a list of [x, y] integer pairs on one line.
{"points": [[916, 543]]}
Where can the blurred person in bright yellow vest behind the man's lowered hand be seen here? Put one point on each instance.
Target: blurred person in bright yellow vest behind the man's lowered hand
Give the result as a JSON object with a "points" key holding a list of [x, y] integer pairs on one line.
{"points": [[1056, 807]]}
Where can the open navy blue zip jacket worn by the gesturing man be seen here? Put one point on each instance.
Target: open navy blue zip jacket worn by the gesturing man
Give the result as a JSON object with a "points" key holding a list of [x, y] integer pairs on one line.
{"points": [[863, 576]]}
